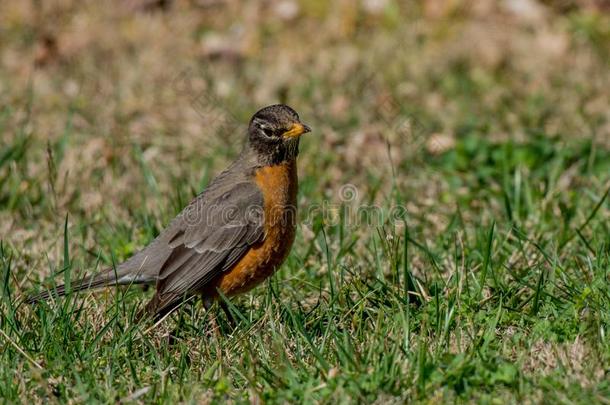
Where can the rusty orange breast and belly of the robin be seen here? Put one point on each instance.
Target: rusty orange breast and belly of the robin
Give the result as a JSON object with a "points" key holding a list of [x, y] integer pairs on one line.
{"points": [[279, 187]]}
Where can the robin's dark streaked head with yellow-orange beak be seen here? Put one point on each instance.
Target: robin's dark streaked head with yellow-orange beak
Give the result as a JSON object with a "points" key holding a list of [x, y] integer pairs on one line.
{"points": [[274, 133]]}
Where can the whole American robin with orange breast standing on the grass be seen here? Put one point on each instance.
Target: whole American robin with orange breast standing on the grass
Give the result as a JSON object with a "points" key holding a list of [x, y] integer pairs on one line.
{"points": [[232, 236]]}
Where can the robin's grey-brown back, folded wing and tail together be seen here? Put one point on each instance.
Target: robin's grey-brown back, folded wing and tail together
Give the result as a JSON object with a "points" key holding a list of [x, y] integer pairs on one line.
{"points": [[210, 235]]}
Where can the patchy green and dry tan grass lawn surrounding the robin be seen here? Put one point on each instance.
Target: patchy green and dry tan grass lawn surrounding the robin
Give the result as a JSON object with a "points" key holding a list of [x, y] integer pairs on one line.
{"points": [[480, 275]]}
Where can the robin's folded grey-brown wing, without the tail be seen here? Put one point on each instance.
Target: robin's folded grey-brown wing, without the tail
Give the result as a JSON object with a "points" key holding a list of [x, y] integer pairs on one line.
{"points": [[211, 235]]}
